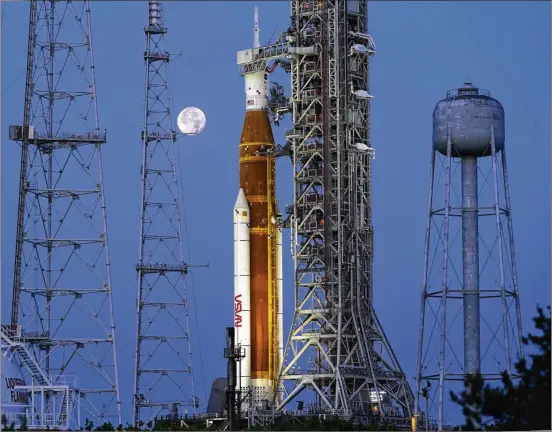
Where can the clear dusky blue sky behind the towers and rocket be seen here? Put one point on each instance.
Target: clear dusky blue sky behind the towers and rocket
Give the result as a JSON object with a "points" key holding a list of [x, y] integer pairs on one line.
{"points": [[423, 49]]}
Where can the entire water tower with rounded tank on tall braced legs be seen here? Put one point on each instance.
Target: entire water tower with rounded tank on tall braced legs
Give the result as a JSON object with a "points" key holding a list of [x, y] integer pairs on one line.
{"points": [[469, 252]]}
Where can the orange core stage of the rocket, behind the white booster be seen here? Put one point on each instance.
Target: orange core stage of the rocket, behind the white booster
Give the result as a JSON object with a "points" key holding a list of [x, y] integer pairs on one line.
{"points": [[257, 179]]}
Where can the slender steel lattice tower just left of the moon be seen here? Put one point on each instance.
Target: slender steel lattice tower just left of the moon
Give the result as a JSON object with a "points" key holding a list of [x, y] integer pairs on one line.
{"points": [[163, 368]]}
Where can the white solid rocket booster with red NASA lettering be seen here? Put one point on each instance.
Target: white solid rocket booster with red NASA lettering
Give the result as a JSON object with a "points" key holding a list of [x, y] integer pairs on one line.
{"points": [[242, 321]]}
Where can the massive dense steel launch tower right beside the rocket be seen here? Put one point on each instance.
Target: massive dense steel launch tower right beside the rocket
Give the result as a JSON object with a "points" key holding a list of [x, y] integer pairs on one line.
{"points": [[336, 346]]}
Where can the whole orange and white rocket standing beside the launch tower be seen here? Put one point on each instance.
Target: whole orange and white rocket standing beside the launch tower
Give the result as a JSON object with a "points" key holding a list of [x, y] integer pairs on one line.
{"points": [[258, 249]]}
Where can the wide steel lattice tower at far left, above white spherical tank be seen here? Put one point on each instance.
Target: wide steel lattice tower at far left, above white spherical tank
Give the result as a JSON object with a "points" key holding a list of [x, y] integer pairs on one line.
{"points": [[62, 287]]}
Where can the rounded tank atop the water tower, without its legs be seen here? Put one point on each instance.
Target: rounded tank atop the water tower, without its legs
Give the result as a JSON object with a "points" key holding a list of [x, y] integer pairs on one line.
{"points": [[469, 112]]}
